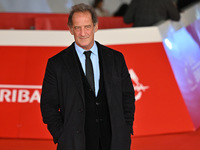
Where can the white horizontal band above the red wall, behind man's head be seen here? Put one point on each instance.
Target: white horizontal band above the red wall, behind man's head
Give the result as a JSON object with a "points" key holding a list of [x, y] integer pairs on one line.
{"points": [[64, 38]]}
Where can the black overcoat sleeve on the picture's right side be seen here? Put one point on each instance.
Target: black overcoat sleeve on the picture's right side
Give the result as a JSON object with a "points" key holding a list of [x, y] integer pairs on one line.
{"points": [[128, 96]]}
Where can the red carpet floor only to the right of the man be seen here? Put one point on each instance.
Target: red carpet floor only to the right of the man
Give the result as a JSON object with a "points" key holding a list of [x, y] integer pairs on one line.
{"points": [[181, 141]]}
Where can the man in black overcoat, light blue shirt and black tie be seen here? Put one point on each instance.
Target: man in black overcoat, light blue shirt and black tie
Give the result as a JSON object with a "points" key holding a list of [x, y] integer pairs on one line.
{"points": [[85, 114]]}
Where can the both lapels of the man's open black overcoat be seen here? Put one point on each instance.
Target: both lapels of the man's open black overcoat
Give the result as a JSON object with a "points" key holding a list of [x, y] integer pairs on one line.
{"points": [[71, 63]]}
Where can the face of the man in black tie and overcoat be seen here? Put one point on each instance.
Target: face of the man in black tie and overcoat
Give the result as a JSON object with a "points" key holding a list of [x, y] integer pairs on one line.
{"points": [[83, 29]]}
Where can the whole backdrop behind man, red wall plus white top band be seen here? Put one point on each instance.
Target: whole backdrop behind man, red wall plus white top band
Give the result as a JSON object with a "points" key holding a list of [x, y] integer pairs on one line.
{"points": [[160, 104]]}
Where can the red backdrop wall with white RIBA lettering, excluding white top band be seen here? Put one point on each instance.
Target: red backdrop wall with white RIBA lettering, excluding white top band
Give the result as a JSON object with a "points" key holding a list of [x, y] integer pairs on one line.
{"points": [[159, 106]]}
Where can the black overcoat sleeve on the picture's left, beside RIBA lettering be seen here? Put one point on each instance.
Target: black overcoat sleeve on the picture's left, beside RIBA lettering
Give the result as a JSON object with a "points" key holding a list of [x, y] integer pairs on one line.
{"points": [[50, 103]]}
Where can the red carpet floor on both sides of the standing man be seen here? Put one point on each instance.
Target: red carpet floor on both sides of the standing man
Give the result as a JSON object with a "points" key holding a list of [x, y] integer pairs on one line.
{"points": [[182, 141]]}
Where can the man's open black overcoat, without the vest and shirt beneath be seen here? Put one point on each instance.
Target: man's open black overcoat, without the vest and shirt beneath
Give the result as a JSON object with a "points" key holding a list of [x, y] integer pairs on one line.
{"points": [[63, 103]]}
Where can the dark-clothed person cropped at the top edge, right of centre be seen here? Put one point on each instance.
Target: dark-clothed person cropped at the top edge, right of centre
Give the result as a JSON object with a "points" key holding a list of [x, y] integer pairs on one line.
{"points": [[149, 12]]}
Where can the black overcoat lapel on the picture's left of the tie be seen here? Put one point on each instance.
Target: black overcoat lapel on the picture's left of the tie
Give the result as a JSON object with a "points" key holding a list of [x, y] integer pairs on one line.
{"points": [[71, 62]]}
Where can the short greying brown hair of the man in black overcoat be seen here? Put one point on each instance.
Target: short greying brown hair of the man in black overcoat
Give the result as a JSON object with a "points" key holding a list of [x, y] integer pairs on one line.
{"points": [[82, 8]]}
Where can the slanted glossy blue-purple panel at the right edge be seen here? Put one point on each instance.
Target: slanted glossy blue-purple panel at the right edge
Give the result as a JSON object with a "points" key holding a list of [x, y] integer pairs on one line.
{"points": [[183, 51]]}
